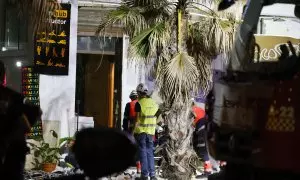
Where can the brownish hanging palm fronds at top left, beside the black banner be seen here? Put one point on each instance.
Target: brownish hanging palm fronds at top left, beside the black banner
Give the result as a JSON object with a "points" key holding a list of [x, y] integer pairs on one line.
{"points": [[37, 11]]}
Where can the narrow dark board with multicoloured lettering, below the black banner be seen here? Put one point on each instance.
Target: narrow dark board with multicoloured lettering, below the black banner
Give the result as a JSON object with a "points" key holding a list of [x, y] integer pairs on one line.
{"points": [[30, 89]]}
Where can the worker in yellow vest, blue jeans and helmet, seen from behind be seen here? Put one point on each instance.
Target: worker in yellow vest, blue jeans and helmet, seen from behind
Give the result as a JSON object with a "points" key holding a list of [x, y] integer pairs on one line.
{"points": [[147, 111]]}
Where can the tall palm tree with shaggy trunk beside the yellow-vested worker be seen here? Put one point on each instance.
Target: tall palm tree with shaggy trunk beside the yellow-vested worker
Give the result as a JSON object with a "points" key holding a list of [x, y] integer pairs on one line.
{"points": [[181, 46]]}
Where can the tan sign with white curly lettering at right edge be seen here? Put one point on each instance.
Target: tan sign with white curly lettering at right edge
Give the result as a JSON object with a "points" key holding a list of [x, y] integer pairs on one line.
{"points": [[270, 46]]}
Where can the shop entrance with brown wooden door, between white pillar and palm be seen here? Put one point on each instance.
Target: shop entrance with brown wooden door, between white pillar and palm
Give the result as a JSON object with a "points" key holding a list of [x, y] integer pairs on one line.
{"points": [[105, 76]]}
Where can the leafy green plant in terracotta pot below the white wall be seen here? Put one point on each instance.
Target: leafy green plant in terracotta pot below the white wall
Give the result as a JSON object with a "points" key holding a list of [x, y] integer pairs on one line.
{"points": [[45, 156]]}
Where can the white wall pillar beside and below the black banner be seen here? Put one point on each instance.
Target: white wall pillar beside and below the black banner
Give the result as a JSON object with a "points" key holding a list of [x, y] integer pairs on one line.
{"points": [[57, 93]]}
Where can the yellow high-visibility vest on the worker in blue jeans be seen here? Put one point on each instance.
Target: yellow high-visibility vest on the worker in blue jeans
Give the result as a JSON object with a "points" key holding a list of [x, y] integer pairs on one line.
{"points": [[146, 121]]}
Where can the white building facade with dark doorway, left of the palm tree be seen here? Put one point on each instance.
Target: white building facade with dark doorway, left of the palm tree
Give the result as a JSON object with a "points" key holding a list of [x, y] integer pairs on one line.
{"points": [[98, 67]]}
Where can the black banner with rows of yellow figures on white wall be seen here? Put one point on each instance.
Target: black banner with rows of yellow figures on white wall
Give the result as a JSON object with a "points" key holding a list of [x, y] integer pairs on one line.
{"points": [[51, 49]]}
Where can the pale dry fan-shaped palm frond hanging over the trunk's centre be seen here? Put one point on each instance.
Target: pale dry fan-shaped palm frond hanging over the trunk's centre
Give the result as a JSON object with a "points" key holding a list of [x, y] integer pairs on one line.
{"points": [[178, 78]]}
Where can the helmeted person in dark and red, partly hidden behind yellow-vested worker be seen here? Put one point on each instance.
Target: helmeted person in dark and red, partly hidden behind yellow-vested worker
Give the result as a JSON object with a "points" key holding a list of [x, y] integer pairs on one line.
{"points": [[129, 113]]}
